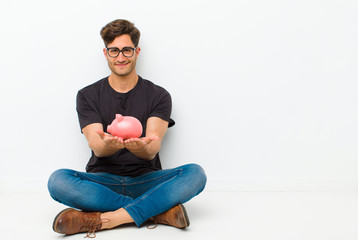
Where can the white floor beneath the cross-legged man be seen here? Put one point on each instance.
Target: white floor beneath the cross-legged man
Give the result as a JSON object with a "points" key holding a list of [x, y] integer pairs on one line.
{"points": [[214, 215]]}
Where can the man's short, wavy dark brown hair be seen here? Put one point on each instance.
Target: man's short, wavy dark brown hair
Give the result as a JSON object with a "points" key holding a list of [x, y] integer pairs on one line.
{"points": [[119, 27]]}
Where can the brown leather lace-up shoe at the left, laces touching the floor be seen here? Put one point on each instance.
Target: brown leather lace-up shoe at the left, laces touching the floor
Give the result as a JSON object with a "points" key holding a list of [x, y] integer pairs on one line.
{"points": [[71, 221]]}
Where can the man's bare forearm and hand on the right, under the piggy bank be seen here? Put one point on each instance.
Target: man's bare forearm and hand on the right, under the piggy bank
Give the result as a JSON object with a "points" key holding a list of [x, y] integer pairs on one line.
{"points": [[148, 146]]}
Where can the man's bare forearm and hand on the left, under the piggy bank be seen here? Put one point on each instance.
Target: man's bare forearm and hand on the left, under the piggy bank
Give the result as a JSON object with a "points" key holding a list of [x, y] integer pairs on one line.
{"points": [[101, 143]]}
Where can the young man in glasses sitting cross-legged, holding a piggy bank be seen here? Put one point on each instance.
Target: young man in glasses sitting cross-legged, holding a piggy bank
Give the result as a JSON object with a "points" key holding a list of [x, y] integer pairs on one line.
{"points": [[124, 181]]}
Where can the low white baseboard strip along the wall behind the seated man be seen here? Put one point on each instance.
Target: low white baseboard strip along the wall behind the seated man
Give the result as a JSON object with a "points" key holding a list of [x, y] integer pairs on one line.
{"points": [[235, 184]]}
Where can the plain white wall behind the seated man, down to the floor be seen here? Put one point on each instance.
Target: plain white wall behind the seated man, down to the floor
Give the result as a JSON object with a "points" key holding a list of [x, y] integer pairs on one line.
{"points": [[265, 92]]}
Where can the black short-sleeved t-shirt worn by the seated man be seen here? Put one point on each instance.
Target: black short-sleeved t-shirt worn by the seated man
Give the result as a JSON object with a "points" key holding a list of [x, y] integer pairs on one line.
{"points": [[99, 103]]}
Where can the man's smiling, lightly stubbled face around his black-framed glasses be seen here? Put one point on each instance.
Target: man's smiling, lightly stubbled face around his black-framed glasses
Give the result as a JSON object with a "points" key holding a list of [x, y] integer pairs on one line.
{"points": [[121, 65]]}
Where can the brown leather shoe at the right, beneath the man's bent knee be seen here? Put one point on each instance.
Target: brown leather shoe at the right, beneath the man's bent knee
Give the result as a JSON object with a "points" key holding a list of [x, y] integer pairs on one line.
{"points": [[176, 217]]}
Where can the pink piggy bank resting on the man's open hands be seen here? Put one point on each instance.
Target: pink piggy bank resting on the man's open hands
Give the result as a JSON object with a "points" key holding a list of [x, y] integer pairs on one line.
{"points": [[125, 127]]}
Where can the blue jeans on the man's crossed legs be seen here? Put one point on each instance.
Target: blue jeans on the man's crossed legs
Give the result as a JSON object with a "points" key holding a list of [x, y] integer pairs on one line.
{"points": [[142, 197]]}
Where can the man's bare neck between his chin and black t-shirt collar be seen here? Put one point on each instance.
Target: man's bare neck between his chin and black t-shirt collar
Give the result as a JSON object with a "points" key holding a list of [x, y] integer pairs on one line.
{"points": [[123, 84]]}
